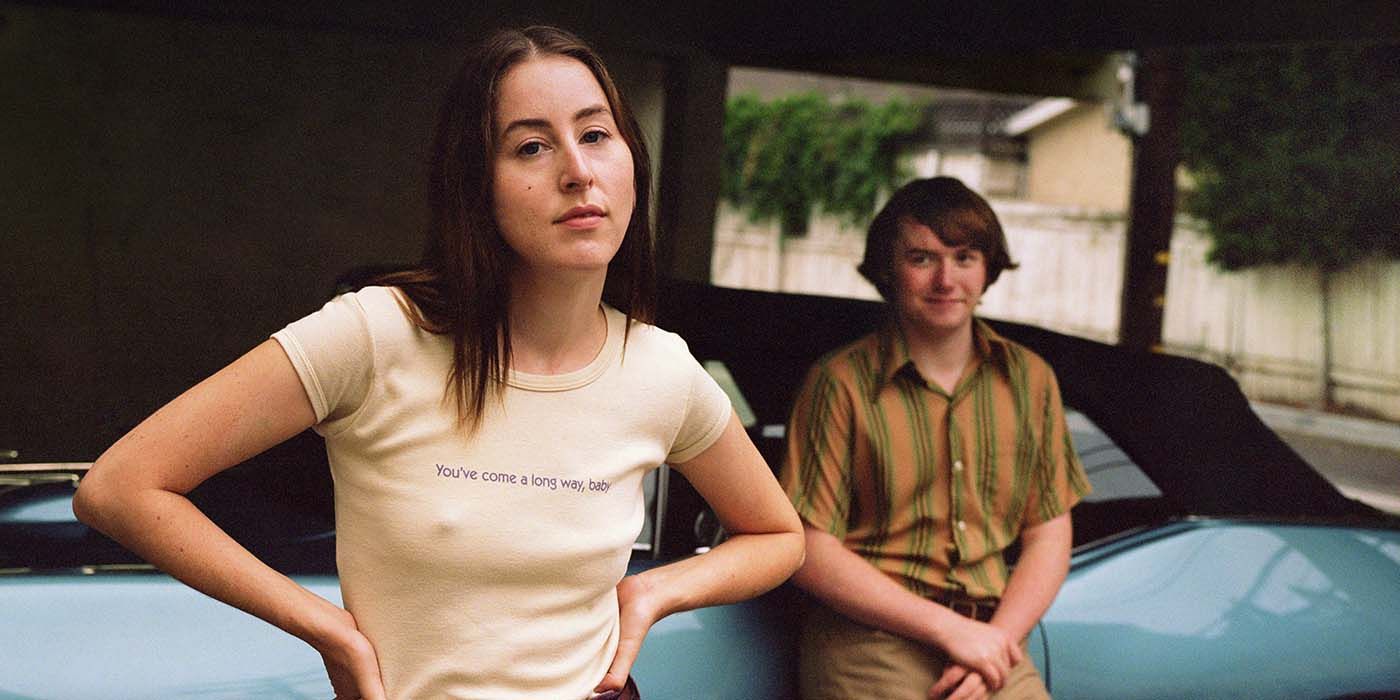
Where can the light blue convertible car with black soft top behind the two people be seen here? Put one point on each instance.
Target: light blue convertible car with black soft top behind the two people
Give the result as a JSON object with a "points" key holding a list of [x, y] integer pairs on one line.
{"points": [[1210, 562]]}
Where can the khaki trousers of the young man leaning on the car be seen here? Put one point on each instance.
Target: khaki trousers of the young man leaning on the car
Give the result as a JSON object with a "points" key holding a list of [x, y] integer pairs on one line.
{"points": [[843, 660]]}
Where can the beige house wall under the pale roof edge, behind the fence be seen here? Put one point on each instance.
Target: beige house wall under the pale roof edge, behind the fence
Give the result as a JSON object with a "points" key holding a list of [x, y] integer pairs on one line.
{"points": [[1077, 159]]}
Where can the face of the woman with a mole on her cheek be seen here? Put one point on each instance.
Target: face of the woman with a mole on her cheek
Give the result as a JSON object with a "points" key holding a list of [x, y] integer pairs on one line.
{"points": [[562, 174]]}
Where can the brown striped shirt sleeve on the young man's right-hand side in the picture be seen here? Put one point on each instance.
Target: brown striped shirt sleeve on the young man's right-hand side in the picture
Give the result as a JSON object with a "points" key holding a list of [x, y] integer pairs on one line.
{"points": [[1060, 479]]}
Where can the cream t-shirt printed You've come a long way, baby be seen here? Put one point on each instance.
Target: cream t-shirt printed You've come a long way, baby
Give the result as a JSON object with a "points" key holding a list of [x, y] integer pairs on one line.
{"points": [[485, 566]]}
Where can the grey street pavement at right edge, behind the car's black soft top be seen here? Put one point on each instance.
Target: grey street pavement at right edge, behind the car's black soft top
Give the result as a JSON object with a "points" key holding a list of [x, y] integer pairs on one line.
{"points": [[1360, 457]]}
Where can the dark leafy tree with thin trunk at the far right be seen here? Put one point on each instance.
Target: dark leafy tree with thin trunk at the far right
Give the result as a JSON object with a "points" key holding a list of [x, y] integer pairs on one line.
{"points": [[1296, 153]]}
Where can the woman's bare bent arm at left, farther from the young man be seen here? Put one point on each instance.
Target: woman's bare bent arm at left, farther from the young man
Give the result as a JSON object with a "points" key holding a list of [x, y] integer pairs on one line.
{"points": [[136, 491]]}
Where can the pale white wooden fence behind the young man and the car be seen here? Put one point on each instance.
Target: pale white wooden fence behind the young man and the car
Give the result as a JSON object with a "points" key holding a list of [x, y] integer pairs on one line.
{"points": [[1263, 325]]}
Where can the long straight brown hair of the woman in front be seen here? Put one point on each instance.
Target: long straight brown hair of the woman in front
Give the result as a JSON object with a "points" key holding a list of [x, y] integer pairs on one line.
{"points": [[461, 286]]}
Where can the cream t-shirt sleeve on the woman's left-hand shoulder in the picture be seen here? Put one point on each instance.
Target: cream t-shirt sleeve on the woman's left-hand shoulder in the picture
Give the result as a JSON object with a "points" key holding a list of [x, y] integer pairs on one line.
{"points": [[332, 353]]}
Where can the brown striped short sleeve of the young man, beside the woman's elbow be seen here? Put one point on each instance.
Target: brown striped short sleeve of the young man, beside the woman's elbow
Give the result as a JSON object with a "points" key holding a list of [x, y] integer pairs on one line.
{"points": [[817, 470]]}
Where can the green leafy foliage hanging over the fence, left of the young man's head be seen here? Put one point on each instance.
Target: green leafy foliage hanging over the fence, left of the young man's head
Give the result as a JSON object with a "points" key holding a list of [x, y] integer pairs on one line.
{"points": [[787, 157]]}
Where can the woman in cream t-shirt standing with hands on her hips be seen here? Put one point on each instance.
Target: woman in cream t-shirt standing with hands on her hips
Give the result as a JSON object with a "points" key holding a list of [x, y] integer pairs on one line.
{"points": [[488, 419]]}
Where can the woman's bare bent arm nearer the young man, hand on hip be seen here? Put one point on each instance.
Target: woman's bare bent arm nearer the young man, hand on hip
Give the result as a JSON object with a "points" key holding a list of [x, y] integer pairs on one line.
{"points": [[764, 549]]}
